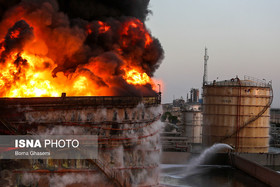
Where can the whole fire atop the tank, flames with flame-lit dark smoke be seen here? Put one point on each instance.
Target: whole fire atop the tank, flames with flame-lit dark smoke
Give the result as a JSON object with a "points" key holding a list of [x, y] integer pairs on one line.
{"points": [[36, 63]]}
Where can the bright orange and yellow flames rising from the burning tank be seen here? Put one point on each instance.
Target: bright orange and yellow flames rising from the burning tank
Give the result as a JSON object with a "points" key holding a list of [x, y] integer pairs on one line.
{"points": [[32, 77]]}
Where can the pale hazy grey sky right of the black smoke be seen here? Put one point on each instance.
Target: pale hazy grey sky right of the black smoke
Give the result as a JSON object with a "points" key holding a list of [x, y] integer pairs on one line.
{"points": [[242, 37]]}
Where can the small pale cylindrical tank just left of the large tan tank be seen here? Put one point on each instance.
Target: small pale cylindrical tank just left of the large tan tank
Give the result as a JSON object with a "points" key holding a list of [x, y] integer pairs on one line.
{"points": [[192, 121]]}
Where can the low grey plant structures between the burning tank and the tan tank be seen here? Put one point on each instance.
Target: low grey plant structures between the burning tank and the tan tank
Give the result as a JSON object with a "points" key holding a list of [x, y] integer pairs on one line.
{"points": [[186, 134]]}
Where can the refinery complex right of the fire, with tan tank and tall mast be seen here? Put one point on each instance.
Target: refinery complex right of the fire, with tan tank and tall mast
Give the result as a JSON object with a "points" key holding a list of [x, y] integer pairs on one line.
{"points": [[234, 111]]}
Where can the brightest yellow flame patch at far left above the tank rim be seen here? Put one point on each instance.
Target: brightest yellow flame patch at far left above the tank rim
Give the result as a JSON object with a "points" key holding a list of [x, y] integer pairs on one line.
{"points": [[33, 84]]}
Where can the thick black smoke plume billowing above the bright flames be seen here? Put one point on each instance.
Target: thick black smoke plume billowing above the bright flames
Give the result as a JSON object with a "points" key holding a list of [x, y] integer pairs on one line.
{"points": [[75, 40]]}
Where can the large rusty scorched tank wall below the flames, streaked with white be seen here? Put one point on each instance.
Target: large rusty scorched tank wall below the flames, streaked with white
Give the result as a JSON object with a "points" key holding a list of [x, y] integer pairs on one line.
{"points": [[127, 129]]}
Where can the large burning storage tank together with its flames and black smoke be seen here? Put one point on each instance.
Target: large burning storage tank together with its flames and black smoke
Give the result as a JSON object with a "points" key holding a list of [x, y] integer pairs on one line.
{"points": [[103, 56]]}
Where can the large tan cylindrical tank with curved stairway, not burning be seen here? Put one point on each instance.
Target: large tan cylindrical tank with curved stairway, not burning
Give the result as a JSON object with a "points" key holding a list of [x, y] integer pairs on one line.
{"points": [[236, 112]]}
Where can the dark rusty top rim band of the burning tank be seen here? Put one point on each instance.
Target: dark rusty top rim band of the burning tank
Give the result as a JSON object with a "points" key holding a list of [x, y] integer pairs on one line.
{"points": [[82, 101]]}
